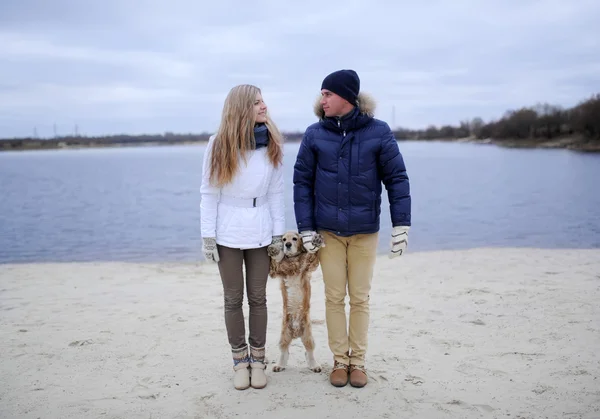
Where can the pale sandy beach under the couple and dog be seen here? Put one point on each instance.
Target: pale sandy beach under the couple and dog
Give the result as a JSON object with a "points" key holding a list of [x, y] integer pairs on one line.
{"points": [[483, 333]]}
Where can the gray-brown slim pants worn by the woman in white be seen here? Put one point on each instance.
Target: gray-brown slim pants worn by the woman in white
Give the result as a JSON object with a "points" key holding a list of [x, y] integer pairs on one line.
{"points": [[257, 270]]}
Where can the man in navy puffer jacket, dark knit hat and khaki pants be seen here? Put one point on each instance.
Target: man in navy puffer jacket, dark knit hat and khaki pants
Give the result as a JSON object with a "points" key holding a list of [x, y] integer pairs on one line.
{"points": [[341, 164]]}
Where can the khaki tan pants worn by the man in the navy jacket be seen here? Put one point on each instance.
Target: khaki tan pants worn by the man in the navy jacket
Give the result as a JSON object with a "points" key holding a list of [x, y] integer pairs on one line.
{"points": [[347, 263]]}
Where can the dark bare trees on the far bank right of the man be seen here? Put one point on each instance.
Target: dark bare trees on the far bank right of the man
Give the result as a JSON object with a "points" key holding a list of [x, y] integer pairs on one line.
{"points": [[540, 122]]}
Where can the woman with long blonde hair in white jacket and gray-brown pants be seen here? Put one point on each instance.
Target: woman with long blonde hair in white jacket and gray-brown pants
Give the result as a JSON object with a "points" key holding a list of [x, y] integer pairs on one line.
{"points": [[242, 213]]}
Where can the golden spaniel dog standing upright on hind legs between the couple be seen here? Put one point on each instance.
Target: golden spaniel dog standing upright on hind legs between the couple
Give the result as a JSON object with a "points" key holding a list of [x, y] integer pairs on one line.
{"points": [[294, 266]]}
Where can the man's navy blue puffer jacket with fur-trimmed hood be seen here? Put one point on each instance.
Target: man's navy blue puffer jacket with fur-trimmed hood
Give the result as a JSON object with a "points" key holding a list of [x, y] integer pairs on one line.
{"points": [[339, 171]]}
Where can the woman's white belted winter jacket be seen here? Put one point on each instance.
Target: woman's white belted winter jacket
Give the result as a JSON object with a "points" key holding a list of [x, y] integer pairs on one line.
{"points": [[239, 224]]}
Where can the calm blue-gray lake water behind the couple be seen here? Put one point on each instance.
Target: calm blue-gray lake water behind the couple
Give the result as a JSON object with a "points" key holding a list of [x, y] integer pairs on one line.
{"points": [[142, 204]]}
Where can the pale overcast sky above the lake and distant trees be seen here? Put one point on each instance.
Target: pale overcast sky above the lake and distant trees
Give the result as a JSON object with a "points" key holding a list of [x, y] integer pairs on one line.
{"points": [[149, 66]]}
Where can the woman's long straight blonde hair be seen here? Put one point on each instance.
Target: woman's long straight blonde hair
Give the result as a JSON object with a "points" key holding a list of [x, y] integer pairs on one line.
{"points": [[235, 136]]}
